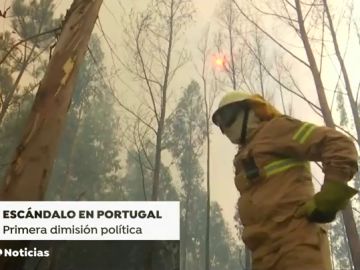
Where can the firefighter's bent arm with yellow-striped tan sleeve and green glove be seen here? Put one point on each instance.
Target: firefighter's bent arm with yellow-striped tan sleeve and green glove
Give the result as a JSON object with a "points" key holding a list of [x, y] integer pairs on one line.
{"points": [[336, 152]]}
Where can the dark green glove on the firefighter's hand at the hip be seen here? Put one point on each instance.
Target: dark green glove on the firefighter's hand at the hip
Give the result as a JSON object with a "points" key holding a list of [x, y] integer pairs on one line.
{"points": [[322, 208]]}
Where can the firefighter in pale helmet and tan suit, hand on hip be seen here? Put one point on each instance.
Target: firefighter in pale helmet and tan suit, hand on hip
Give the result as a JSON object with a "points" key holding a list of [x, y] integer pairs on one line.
{"points": [[283, 219]]}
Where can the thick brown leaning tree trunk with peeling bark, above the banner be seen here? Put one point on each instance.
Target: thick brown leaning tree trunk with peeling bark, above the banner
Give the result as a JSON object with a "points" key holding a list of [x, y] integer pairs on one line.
{"points": [[29, 172]]}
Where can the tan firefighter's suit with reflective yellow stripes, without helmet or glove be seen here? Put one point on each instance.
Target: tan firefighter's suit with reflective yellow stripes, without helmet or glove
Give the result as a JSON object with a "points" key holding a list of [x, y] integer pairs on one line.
{"points": [[274, 179]]}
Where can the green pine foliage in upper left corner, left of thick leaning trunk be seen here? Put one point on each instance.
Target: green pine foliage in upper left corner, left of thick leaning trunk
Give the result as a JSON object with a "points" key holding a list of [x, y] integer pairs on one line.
{"points": [[27, 19]]}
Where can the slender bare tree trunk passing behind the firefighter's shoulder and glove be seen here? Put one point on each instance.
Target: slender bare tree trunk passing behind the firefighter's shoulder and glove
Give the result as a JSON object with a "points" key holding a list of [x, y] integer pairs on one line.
{"points": [[349, 221]]}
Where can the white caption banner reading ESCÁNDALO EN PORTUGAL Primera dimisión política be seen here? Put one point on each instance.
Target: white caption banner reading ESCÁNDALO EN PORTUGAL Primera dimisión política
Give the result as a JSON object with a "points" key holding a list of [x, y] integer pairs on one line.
{"points": [[95, 220]]}
